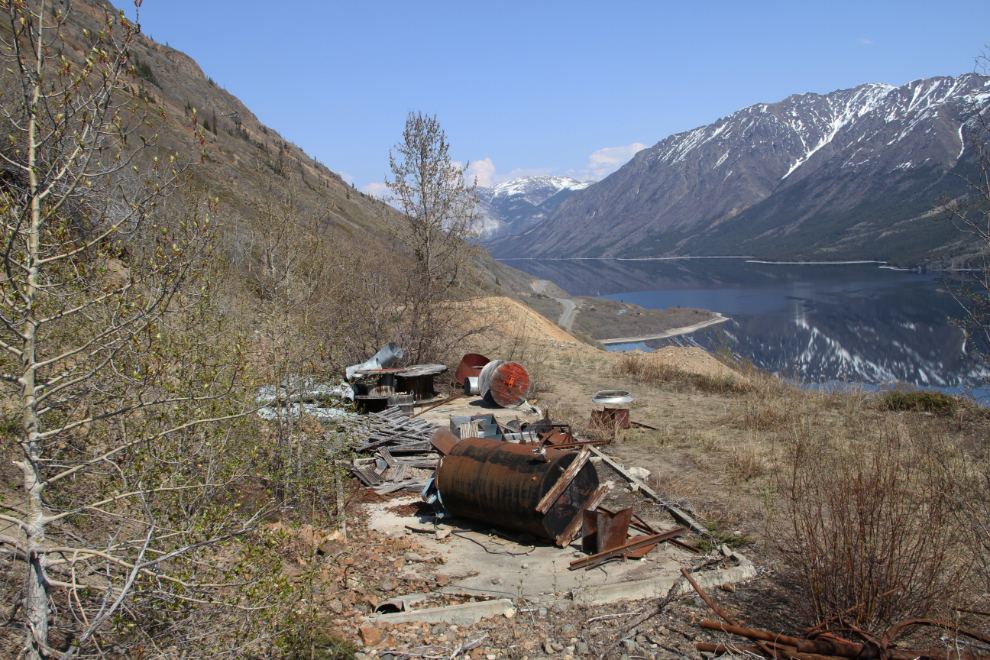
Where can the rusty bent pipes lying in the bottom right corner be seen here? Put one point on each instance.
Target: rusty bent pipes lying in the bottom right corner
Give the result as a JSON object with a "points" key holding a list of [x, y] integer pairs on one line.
{"points": [[822, 643]]}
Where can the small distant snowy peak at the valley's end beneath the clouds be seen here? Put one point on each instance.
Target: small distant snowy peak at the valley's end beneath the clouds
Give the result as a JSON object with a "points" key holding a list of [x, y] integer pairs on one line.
{"points": [[518, 205]]}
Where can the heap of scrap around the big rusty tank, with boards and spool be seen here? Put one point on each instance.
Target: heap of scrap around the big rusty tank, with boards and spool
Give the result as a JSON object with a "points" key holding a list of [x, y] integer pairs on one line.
{"points": [[529, 477]]}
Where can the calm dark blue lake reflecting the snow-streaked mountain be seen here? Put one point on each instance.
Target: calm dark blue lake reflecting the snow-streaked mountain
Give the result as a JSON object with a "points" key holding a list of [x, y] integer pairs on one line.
{"points": [[815, 323]]}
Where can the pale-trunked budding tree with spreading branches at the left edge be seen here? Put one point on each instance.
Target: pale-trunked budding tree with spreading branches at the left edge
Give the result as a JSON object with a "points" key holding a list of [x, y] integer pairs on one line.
{"points": [[109, 353]]}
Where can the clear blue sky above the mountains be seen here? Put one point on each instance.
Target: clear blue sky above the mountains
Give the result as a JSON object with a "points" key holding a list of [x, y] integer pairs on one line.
{"points": [[545, 87]]}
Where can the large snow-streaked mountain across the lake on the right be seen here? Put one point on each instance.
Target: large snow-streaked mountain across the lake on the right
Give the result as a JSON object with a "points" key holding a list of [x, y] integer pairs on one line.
{"points": [[850, 174]]}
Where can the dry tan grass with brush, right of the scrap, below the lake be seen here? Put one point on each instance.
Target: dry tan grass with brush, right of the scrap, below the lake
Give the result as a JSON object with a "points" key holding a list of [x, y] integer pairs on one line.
{"points": [[860, 493]]}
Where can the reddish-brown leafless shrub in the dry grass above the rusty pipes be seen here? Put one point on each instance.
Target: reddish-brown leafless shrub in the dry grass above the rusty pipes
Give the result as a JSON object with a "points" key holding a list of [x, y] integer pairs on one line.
{"points": [[867, 522]]}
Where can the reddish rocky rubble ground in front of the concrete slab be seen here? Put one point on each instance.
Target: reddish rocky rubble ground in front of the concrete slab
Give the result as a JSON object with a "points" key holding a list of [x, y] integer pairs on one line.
{"points": [[358, 575]]}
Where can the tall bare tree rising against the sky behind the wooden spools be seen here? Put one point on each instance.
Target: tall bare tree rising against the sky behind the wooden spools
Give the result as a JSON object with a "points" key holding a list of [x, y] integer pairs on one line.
{"points": [[438, 209]]}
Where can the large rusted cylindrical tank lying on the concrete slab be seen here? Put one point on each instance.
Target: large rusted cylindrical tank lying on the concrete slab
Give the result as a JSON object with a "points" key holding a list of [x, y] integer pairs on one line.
{"points": [[501, 484]]}
